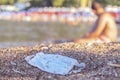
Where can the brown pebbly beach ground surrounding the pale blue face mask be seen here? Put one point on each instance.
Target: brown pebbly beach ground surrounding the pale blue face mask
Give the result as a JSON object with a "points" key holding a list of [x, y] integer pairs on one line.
{"points": [[102, 61]]}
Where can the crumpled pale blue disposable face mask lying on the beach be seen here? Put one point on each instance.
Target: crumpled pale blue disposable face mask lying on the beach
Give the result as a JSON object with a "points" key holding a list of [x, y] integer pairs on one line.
{"points": [[54, 63]]}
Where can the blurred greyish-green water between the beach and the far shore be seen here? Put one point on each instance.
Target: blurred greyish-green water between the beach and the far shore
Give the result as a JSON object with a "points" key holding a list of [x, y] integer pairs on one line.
{"points": [[31, 33]]}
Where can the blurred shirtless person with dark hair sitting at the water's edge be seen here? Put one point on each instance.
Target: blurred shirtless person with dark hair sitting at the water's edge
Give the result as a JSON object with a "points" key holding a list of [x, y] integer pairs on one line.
{"points": [[104, 30]]}
